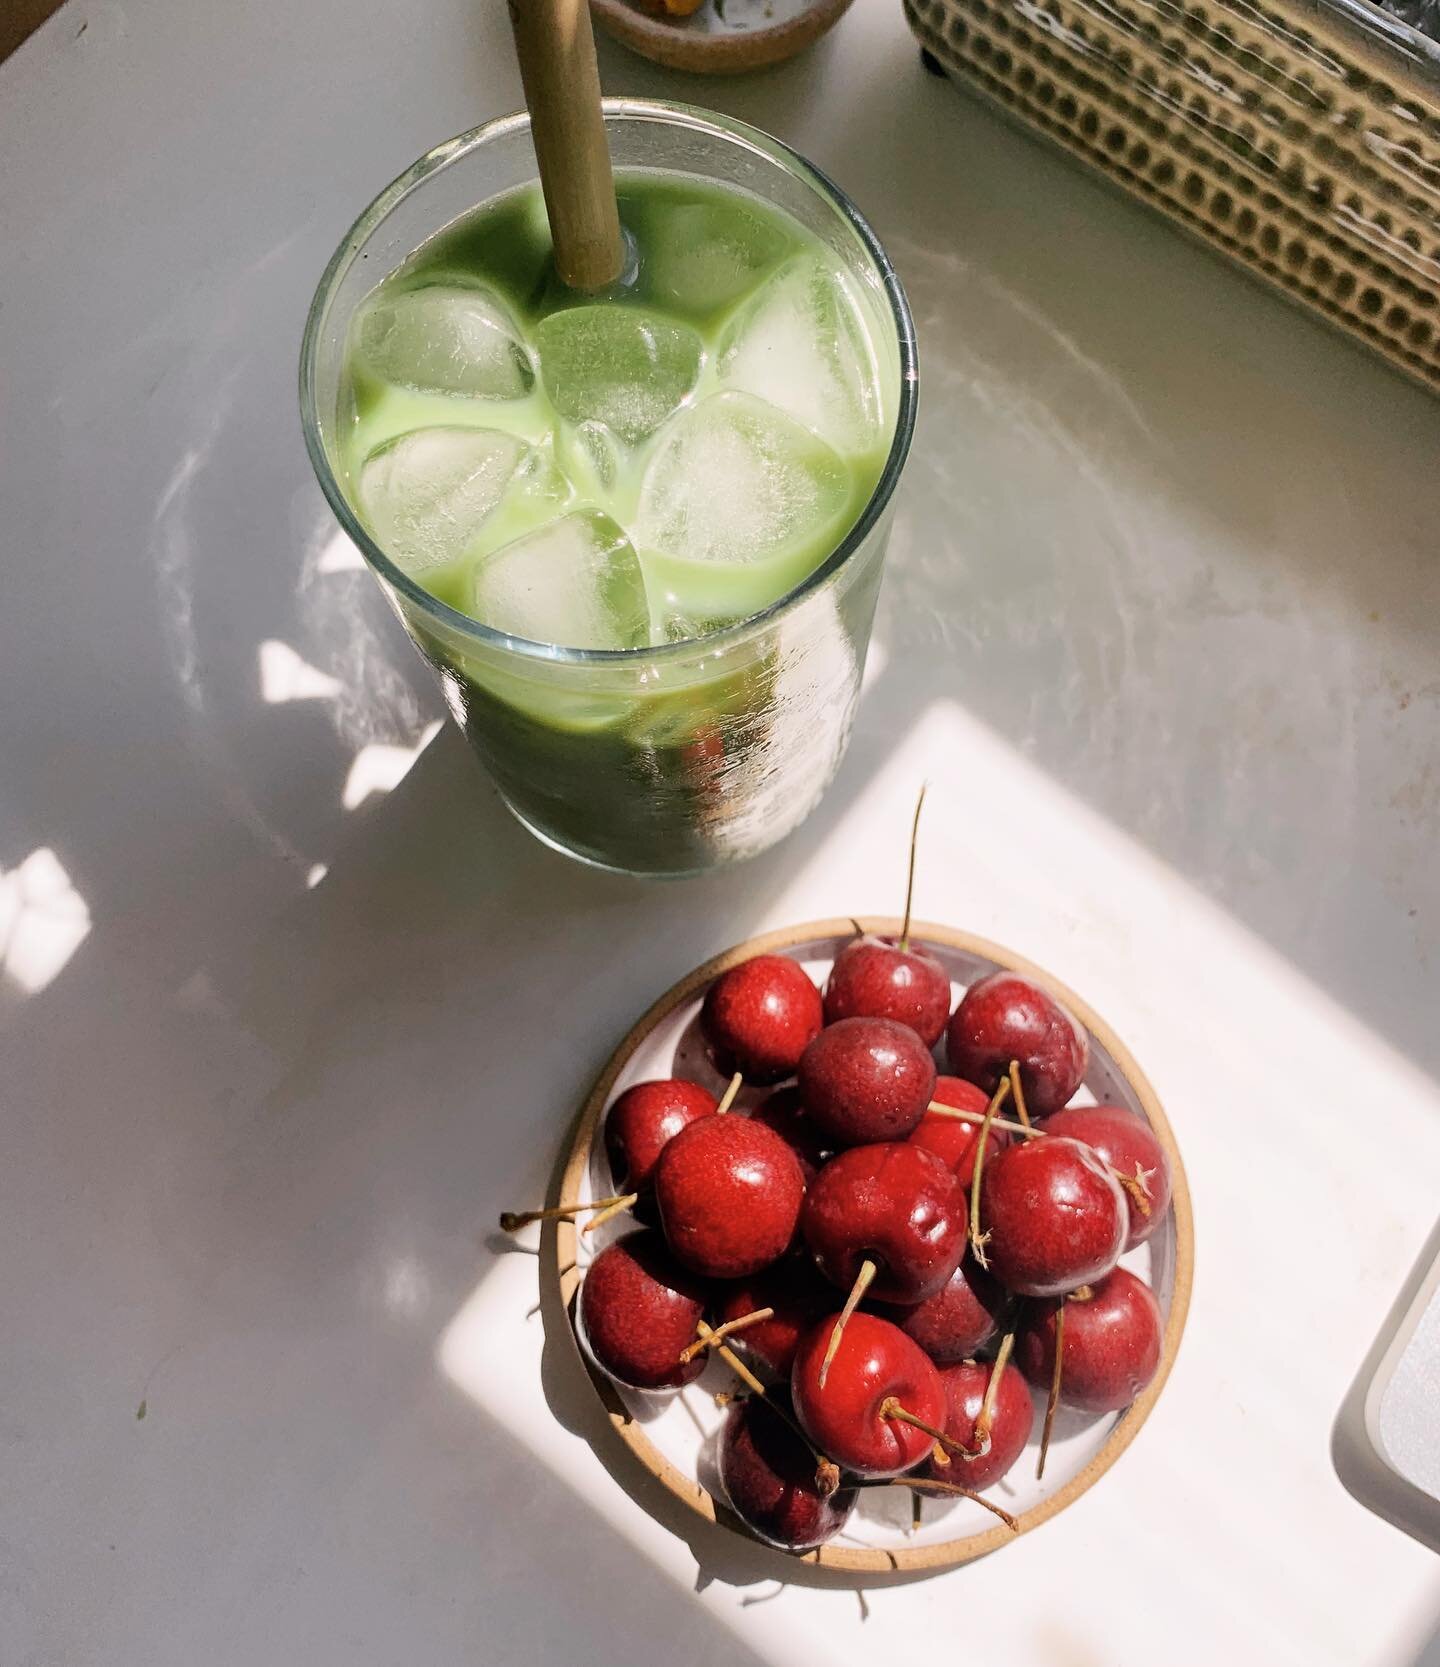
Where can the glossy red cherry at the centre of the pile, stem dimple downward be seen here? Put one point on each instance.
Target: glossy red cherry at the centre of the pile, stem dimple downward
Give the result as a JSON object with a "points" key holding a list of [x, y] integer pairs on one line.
{"points": [[894, 1204]]}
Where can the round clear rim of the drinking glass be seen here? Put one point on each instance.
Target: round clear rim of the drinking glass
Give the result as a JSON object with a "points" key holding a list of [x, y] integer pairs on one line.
{"points": [[717, 641]]}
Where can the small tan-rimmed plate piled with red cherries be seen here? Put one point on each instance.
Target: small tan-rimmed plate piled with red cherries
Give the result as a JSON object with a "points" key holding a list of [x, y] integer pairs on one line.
{"points": [[874, 1243]]}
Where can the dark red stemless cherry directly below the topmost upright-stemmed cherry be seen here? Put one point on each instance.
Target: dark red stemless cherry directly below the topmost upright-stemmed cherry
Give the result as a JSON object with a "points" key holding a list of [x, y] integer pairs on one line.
{"points": [[866, 1079]]}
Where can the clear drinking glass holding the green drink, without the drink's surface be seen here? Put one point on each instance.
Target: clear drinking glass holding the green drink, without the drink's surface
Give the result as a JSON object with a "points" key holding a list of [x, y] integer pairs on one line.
{"points": [[671, 759]]}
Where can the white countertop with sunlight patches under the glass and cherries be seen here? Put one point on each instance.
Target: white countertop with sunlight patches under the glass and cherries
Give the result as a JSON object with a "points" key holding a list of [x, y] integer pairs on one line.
{"points": [[1161, 628]]}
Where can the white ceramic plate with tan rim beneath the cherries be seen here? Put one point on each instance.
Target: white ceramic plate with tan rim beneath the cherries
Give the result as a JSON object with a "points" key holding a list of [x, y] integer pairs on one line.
{"points": [[666, 1043]]}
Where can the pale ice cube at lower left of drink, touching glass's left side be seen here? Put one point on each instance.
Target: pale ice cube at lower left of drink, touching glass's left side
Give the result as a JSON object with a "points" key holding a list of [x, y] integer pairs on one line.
{"points": [[427, 494]]}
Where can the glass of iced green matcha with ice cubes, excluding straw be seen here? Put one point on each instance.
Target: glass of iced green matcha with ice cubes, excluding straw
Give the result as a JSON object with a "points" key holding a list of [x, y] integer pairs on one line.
{"points": [[639, 534]]}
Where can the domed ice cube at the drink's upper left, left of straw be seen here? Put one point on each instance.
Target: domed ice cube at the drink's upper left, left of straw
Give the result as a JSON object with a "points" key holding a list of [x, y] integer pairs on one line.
{"points": [[446, 339]]}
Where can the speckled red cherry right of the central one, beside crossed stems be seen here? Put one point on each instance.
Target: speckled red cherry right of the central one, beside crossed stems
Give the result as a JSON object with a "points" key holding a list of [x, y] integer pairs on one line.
{"points": [[1056, 1218]]}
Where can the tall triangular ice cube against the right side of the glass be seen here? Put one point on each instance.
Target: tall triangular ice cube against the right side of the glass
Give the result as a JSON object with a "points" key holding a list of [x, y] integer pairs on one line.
{"points": [[801, 344]]}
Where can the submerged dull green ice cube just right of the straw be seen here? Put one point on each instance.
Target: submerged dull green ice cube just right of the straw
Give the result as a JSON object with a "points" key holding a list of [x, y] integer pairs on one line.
{"points": [[706, 256]]}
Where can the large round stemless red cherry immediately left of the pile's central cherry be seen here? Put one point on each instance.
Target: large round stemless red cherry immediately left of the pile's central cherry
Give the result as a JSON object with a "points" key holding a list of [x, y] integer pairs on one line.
{"points": [[729, 1194]]}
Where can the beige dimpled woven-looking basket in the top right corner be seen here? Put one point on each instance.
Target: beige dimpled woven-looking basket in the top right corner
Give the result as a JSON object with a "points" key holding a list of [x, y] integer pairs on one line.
{"points": [[1302, 141]]}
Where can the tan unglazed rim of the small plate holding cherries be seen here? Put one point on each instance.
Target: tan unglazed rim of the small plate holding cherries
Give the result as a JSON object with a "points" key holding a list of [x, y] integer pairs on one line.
{"points": [[559, 1246]]}
